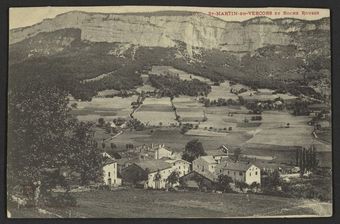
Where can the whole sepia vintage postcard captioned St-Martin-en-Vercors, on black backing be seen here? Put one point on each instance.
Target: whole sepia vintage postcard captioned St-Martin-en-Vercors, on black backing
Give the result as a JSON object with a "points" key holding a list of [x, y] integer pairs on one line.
{"points": [[169, 112]]}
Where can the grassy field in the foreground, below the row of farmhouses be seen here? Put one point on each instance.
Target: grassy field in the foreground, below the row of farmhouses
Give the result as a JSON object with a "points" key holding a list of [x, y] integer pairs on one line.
{"points": [[137, 203]]}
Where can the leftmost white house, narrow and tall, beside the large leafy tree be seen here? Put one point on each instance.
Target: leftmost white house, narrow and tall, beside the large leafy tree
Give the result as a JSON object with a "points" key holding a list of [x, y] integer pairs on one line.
{"points": [[110, 174]]}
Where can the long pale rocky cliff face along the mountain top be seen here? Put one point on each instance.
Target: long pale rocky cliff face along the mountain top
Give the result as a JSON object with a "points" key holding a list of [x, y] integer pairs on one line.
{"points": [[166, 29]]}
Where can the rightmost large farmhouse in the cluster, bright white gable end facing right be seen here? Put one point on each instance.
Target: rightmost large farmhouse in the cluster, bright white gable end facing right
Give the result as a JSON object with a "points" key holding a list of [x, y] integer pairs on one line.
{"points": [[239, 171]]}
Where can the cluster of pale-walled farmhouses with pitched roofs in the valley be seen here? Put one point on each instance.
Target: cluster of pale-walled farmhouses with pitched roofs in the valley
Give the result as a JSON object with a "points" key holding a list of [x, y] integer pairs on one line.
{"points": [[152, 172]]}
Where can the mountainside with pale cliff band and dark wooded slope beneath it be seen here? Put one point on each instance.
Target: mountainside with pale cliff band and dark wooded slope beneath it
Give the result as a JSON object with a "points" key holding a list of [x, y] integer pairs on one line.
{"points": [[259, 52]]}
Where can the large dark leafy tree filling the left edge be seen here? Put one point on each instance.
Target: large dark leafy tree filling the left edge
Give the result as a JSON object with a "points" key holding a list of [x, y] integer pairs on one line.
{"points": [[43, 135]]}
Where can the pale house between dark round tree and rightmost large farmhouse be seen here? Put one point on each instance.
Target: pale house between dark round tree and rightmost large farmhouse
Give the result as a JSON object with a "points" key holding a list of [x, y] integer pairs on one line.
{"points": [[205, 165]]}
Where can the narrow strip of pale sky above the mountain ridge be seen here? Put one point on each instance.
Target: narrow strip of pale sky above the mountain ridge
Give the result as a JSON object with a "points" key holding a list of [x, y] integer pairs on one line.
{"points": [[26, 16]]}
